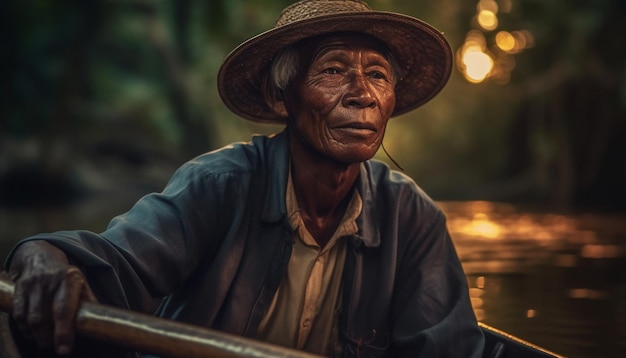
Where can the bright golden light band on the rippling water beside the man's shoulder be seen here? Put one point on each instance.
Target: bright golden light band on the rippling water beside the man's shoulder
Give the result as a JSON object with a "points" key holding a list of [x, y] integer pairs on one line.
{"points": [[496, 237]]}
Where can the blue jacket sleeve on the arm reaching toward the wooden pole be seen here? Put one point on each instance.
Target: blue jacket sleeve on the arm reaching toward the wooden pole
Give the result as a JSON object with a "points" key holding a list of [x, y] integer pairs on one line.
{"points": [[147, 252]]}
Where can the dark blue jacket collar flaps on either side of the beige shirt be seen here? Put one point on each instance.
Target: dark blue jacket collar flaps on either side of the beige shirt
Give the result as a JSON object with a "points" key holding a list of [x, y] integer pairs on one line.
{"points": [[276, 162]]}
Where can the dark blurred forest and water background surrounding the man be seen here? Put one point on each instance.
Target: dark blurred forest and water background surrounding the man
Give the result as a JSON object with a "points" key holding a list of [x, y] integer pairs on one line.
{"points": [[101, 100]]}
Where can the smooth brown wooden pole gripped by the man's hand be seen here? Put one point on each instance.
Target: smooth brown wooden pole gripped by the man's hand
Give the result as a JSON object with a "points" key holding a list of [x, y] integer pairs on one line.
{"points": [[159, 336]]}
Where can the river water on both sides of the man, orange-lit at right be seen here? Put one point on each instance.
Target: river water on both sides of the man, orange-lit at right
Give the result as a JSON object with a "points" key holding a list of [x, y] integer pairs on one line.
{"points": [[556, 280]]}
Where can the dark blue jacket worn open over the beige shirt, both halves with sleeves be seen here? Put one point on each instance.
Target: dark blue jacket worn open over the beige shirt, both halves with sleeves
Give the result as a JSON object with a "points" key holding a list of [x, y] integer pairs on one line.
{"points": [[212, 248]]}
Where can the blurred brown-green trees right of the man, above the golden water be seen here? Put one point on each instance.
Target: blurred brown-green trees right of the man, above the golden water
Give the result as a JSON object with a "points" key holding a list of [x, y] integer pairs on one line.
{"points": [[547, 127]]}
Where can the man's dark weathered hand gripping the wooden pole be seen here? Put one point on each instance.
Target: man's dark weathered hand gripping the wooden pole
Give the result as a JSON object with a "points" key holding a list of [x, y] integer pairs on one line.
{"points": [[48, 291]]}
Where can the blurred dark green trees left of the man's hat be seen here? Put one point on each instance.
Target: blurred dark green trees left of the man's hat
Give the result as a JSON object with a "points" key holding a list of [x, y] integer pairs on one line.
{"points": [[127, 82]]}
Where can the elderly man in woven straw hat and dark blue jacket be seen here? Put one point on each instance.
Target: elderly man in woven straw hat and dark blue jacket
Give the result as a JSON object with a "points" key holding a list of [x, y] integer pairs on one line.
{"points": [[297, 239]]}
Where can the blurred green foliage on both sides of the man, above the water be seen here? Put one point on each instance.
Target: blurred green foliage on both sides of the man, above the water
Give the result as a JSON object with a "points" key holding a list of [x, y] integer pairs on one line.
{"points": [[78, 71]]}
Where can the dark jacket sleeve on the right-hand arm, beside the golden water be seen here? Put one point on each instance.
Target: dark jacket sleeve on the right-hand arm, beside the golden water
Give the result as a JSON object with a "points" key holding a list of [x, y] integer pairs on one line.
{"points": [[432, 313]]}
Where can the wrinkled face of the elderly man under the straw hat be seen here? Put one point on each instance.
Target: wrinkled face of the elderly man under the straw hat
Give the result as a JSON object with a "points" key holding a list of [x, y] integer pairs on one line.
{"points": [[339, 106]]}
